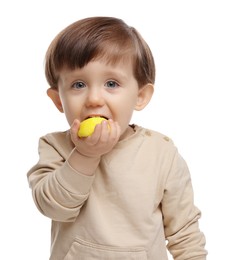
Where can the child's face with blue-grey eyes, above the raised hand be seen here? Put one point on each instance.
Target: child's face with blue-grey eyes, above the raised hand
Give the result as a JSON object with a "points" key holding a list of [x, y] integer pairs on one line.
{"points": [[99, 89]]}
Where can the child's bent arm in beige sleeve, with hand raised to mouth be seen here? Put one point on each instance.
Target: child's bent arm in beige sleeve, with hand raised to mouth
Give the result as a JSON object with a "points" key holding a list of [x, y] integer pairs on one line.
{"points": [[61, 186]]}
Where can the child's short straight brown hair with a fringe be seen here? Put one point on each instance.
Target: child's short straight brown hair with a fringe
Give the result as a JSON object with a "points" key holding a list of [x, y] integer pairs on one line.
{"points": [[96, 38]]}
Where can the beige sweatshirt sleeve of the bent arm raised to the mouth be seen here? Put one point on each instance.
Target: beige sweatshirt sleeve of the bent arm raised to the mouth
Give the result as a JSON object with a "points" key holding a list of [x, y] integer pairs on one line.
{"points": [[58, 190]]}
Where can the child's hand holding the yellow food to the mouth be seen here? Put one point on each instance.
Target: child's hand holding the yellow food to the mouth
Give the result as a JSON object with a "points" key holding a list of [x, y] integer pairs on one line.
{"points": [[100, 142]]}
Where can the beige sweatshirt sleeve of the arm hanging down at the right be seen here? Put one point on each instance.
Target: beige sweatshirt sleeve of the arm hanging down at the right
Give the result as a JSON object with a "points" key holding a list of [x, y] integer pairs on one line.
{"points": [[185, 241]]}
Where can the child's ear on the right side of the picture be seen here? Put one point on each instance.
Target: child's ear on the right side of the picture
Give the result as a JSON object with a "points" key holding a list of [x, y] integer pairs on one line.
{"points": [[144, 96]]}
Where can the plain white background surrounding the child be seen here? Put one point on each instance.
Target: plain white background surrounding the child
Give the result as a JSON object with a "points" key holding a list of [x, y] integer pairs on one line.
{"points": [[189, 42]]}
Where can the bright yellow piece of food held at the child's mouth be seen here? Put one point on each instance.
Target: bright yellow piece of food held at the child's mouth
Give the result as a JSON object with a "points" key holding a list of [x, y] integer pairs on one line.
{"points": [[88, 125]]}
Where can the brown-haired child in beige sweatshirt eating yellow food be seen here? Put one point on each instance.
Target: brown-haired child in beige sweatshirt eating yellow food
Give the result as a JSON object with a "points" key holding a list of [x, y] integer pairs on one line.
{"points": [[124, 191]]}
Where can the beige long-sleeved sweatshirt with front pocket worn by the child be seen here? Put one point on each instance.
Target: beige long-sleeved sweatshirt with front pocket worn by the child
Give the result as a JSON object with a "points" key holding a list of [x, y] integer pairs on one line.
{"points": [[139, 198]]}
